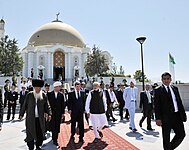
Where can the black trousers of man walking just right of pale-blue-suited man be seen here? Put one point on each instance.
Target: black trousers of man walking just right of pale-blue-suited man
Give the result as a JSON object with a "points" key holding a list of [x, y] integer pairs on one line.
{"points": [[147, 113]]}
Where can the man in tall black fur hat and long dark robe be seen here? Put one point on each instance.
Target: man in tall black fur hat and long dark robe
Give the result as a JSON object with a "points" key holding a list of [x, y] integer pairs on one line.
{"points": [[35, 105]]}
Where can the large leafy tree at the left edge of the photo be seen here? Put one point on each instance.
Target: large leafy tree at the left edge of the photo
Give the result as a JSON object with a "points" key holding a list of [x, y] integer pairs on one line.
{"points": [[11, 62]]}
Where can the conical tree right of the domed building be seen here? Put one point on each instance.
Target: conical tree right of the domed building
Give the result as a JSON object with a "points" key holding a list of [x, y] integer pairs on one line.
{"points": [[95, 63]]}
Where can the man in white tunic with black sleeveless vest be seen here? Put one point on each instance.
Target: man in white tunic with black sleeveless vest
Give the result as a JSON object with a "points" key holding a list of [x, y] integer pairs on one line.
{"points": [[96, 107]]}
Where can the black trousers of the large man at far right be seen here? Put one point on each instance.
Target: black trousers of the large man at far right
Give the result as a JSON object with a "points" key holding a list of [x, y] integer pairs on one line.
{"points": [[177, 125]]}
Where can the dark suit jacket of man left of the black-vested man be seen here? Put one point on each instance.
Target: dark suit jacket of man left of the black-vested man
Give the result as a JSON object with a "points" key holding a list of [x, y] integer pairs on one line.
{"points": [[74, 104]]}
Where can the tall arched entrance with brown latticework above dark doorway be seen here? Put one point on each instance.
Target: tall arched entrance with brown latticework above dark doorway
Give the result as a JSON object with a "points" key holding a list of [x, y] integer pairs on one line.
{"points": [[59, 66]]}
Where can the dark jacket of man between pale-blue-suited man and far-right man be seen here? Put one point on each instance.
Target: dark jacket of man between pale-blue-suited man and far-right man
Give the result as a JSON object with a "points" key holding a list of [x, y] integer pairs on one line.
{"points": [[144, 101]]}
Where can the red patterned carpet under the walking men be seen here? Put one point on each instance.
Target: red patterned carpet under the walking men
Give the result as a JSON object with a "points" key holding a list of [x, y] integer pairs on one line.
{"points": [[110, 140]]}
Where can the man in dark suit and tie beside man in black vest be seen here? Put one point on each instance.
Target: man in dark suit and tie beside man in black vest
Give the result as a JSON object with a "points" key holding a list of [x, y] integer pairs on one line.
{"points": [[76, 108]]}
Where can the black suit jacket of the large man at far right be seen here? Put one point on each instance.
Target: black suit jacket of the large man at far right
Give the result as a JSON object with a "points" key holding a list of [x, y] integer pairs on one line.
{"points": [[163, 104]]}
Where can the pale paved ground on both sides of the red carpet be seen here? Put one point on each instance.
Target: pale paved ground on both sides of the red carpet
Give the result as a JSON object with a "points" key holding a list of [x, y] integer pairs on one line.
{"points": [[13, 134]]}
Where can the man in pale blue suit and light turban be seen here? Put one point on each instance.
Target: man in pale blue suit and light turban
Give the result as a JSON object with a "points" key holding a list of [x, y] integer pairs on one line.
{"points": [[130, 95]]}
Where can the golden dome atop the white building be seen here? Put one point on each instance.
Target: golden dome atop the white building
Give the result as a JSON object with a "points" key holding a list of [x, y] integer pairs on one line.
{"points": [[57, 32]]}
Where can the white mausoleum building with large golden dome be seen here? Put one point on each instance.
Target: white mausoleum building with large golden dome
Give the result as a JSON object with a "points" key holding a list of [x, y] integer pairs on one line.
{"points": [[56, 51]]}
